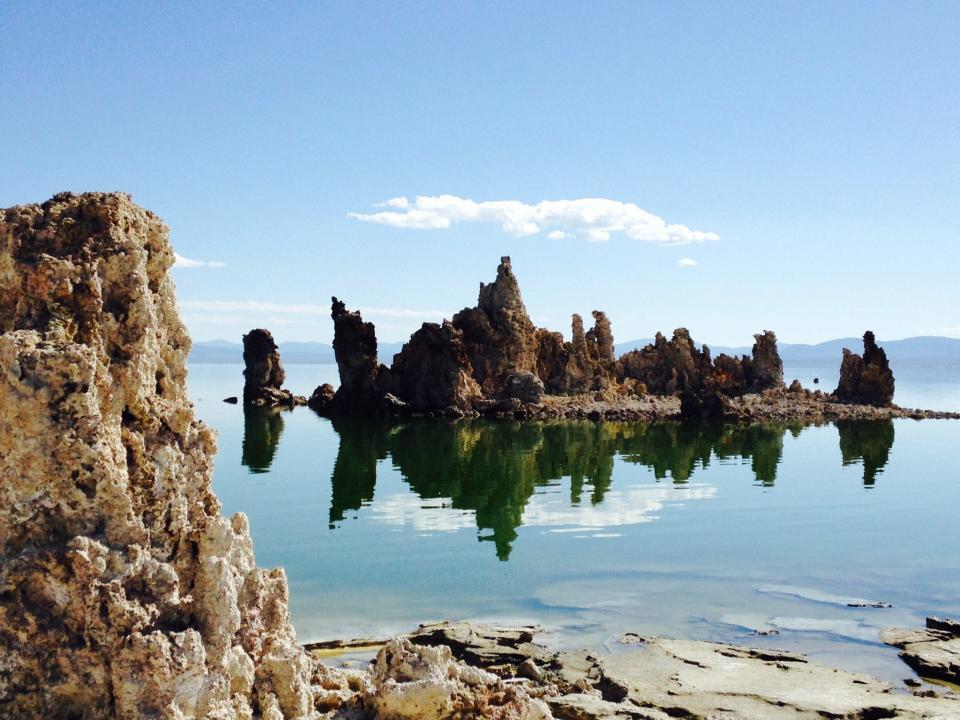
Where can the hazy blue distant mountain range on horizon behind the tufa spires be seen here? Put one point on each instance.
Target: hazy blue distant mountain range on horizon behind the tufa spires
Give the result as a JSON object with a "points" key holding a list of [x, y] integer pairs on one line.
{"points": [[926, 349]]}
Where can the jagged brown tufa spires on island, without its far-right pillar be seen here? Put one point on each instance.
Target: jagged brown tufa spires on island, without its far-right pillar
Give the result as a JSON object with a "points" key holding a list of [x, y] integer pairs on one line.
{"points": [[491, 359]]}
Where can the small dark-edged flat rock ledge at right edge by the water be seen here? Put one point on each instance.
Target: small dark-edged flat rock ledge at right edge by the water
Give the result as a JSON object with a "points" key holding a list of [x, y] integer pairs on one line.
{"points": [[934, 652]]}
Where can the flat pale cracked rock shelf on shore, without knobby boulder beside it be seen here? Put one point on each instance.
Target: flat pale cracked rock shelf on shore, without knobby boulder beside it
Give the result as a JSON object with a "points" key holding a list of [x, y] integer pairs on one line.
{"points": [[659, 678]]}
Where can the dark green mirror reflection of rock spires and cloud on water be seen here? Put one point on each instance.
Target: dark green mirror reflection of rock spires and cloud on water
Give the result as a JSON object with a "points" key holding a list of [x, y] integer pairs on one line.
{"points": [[487, 474]]}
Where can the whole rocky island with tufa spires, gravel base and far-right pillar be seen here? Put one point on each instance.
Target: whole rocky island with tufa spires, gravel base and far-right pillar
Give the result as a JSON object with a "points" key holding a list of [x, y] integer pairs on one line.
{"points": [[491, 360]]}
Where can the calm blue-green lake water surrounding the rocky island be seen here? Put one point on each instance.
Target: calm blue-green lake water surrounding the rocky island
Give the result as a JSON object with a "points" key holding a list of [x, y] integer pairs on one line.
{"points": [[596, 529]]}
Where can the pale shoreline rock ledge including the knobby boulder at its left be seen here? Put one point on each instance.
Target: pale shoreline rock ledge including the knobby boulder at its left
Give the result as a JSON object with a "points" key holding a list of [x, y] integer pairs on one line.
{"points": [[652, 678]]}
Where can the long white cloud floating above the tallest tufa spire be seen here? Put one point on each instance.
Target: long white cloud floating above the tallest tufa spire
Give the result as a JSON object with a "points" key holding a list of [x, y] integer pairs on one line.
{"points": [[594, 219]]}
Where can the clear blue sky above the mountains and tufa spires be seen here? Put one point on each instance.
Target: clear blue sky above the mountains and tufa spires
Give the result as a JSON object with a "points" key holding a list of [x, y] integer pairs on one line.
{"points": [[819, 142]]}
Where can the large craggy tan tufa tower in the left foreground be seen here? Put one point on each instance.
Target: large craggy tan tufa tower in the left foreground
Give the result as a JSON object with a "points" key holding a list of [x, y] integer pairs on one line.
{"points": [[123, 591]]}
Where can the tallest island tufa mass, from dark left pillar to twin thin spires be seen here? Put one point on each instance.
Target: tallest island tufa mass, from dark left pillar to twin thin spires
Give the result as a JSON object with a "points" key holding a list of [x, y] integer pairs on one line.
{"points": [[489, 359]]}
